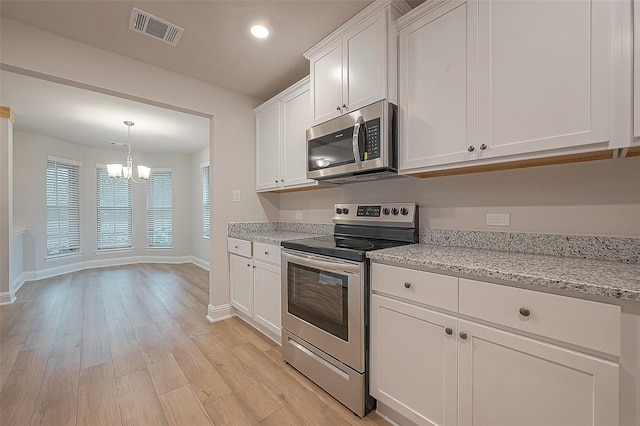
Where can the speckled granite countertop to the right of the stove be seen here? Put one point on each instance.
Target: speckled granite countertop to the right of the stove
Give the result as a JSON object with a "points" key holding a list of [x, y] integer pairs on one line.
{"points": [[599, 277]]}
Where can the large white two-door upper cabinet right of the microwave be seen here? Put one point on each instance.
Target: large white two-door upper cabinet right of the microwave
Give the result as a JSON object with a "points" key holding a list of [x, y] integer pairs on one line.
{"points": [[489, 81]]}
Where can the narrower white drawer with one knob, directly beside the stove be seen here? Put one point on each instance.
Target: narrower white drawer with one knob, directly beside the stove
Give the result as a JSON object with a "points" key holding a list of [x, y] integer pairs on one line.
{"points": [[416, 286]]}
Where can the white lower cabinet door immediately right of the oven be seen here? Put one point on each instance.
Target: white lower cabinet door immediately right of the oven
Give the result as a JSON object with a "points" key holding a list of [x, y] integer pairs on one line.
{"points": [[413, 361]]}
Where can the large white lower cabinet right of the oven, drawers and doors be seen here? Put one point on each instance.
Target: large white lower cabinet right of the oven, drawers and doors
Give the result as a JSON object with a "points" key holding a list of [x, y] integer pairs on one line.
{"points": [[438, 368]]}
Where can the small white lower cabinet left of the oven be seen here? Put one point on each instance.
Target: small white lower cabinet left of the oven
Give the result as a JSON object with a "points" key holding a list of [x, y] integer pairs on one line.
{"points": [[254, 275]]}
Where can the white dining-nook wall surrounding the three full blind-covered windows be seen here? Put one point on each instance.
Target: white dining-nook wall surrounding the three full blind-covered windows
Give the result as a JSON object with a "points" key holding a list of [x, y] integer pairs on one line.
{"points": [[30, 159]]}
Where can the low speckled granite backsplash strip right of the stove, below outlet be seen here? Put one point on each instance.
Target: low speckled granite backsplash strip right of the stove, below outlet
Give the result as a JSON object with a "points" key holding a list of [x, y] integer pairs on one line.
{"points": [[619, 249]]}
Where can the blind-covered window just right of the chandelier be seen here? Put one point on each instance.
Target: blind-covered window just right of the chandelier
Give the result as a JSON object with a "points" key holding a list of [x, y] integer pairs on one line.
{"points": [[159, 214]]}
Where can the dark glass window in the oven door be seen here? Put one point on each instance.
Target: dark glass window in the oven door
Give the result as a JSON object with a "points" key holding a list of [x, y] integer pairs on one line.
{"points": [[319, 298]]}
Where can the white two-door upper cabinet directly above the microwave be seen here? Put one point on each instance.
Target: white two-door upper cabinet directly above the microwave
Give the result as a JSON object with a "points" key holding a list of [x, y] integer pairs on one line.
{"points": [[356, 64]]}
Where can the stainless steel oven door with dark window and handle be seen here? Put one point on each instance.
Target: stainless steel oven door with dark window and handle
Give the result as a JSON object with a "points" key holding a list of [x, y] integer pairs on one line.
{"points": [[323, 303]]}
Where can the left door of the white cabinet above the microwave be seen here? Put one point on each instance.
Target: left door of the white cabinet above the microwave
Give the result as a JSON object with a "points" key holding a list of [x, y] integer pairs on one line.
{"points": [[326, 83]]}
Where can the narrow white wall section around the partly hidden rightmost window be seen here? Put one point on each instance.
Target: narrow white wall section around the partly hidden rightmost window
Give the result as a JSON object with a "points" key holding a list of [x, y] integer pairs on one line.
{"points": [[200, 246]]}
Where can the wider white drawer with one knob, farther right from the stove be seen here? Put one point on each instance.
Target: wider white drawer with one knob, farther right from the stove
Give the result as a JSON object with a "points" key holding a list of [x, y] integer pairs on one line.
{"points": [[579, 322]]}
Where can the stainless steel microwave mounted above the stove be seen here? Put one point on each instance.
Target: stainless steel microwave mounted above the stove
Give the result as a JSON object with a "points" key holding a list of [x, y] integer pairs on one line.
{"points": [[359, 146]]}
